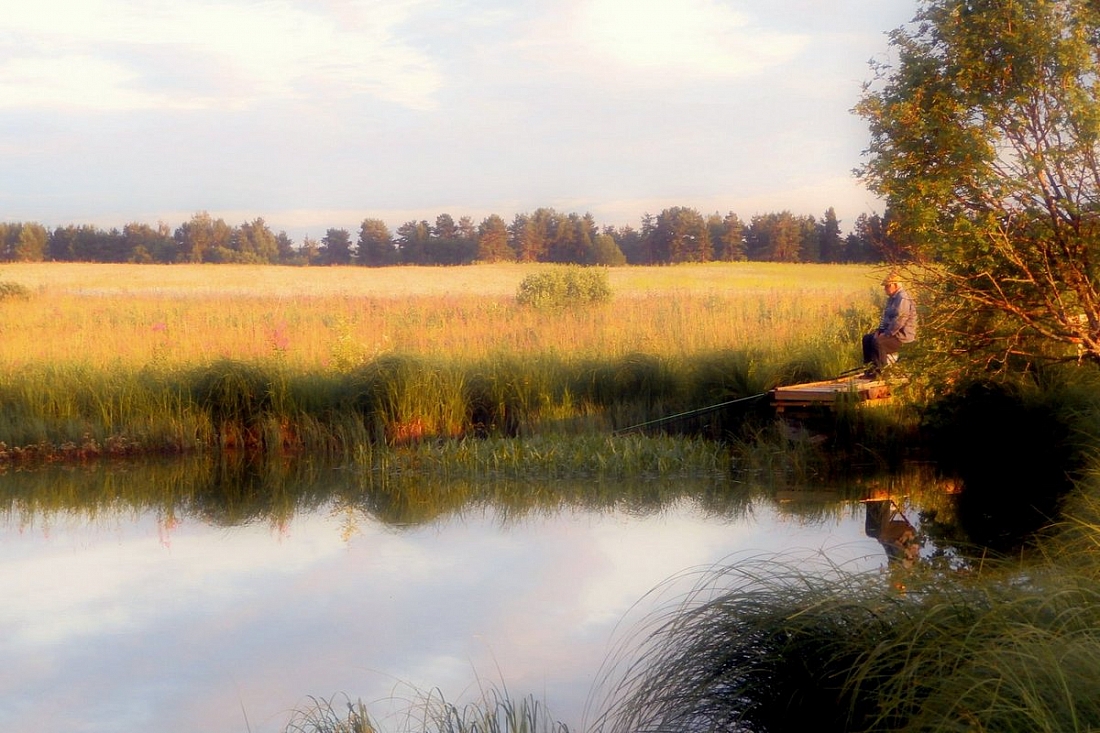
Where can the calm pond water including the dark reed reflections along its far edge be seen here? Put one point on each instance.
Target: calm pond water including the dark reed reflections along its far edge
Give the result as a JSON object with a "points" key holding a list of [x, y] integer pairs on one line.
{"points": [[133, 610]]}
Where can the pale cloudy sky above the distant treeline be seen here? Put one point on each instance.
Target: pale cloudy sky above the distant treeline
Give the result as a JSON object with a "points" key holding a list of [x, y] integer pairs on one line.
{"points": [[321, 114]]}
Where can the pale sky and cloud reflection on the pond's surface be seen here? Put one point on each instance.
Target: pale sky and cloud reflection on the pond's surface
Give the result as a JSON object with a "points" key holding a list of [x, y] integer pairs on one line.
{"points": [[113, 626]]}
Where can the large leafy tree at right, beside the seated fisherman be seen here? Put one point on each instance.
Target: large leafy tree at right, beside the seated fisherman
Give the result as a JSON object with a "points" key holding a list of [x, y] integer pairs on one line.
{"points": [[984, 143]]}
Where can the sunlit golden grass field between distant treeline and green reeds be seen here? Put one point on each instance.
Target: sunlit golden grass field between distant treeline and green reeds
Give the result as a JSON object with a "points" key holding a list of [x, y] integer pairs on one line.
{"points": [[134, 316]]}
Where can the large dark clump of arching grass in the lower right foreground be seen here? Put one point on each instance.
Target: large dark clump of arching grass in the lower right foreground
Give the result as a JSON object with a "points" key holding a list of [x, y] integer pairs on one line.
{"points": [[767, 648]]}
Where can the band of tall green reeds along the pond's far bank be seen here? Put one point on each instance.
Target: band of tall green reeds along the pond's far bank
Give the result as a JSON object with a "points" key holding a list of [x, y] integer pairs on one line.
{"points": [[392, 400]]}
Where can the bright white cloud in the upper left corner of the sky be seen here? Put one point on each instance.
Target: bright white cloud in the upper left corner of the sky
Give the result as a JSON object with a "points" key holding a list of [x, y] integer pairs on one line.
{"points": [[111, 56]]}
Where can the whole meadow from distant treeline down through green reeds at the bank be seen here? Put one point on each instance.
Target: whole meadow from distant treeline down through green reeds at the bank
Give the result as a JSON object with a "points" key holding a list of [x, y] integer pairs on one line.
{"points": [[130, 358]]}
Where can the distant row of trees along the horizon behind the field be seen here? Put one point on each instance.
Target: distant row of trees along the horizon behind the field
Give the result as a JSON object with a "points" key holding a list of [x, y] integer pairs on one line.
{"points": [[676, 235]]}
